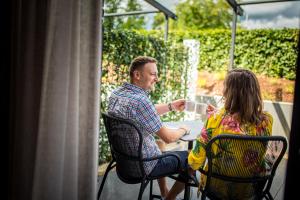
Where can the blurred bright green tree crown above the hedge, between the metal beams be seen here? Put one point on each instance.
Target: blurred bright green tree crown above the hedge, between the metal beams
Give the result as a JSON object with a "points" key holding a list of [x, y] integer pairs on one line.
{"points": [[195, 15]]}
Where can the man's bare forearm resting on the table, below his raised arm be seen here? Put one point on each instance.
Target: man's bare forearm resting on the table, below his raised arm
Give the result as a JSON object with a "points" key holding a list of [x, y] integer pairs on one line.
{"points": [[171, 135]]}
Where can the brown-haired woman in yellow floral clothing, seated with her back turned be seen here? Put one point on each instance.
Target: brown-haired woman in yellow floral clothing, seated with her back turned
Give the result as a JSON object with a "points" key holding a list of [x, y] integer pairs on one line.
{"points": [[242, 114]]}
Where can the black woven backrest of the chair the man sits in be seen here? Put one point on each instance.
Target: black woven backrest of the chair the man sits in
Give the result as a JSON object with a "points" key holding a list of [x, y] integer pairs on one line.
{"points": [[125, 140]]}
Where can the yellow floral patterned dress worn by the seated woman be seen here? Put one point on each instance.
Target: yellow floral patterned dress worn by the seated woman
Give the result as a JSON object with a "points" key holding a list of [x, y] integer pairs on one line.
{"points": [[220, 122]]}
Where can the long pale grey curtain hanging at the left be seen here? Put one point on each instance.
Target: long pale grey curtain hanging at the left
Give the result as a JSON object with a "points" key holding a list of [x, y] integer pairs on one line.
{"points": [[55, 89]]}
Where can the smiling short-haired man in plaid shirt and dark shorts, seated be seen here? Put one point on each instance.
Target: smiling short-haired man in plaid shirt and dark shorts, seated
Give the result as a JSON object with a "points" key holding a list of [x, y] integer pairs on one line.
{"points": [[131, 101]]}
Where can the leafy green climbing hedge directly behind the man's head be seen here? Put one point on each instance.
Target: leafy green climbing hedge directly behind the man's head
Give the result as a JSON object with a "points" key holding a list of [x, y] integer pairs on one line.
{"points": [[119, 48]]}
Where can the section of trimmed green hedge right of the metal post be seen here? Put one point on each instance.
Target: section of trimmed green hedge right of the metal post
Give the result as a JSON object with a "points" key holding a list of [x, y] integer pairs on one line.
{"points": [[271, 52]]}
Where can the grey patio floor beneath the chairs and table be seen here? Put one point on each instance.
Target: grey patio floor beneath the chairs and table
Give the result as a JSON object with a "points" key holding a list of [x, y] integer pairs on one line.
{"points": [[114, 188]]}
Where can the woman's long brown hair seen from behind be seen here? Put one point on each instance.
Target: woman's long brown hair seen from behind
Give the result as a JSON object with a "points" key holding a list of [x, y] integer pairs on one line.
{"points": [[242, 96]]}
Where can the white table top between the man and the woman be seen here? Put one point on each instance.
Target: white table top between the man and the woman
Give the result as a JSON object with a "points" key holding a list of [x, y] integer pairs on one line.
{"points": [[195, 127]]}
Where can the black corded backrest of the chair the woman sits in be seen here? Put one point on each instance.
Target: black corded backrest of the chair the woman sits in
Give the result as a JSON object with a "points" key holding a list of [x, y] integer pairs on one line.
{"points": [[242, 167]]}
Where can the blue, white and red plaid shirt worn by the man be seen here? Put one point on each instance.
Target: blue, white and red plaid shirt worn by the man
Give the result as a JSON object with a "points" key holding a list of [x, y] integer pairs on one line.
{"points": [[132, 102]]}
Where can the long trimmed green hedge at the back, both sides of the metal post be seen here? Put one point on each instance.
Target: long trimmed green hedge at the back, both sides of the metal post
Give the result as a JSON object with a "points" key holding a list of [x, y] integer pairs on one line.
{"points": [[271, 52]]}
